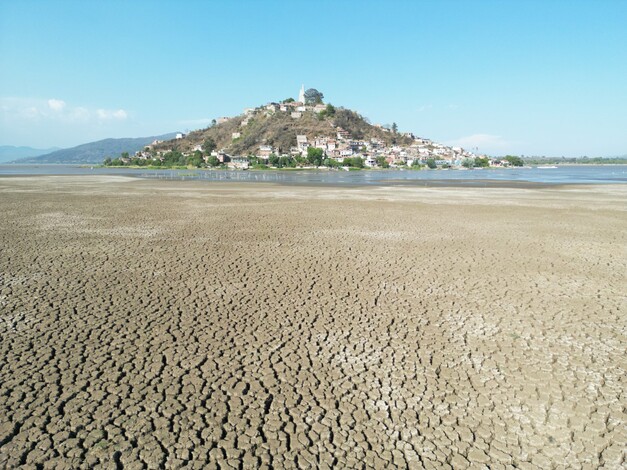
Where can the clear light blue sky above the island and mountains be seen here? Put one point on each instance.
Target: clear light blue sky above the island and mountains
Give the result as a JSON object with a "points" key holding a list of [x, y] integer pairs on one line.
{"points": [[522, 77]]}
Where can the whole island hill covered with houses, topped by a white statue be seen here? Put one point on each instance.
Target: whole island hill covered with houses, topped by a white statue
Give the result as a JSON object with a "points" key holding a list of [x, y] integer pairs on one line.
{"points": [[307, 133]]}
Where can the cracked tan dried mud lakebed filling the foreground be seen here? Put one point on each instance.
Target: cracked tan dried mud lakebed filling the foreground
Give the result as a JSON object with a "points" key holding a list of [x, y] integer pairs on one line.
{"points": [[168, 324]]}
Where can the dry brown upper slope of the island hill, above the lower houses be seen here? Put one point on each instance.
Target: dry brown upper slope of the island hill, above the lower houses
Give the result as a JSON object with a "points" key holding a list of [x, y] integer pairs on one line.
{"points": [[279, 129]]}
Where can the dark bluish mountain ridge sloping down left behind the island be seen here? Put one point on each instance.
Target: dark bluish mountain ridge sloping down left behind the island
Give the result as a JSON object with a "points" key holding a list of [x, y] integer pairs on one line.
{"points": [[93, 152]]}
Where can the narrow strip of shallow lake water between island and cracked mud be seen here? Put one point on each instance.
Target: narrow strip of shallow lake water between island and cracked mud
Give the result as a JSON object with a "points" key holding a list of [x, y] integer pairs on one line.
{"points": [[566, 174]]}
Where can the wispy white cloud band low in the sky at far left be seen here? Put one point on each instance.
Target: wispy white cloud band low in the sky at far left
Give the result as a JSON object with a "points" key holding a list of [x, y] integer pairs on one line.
{"points": [[54, 109]]}
